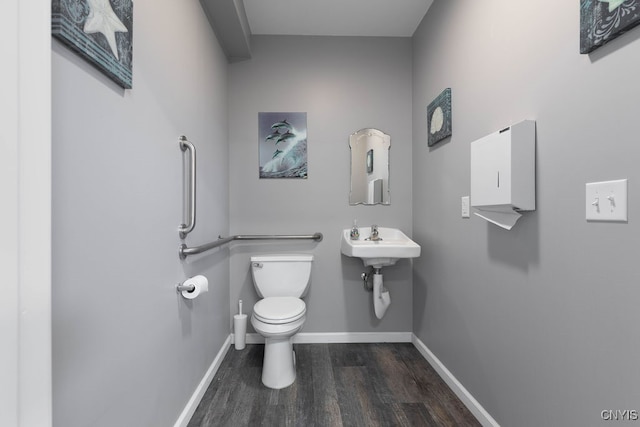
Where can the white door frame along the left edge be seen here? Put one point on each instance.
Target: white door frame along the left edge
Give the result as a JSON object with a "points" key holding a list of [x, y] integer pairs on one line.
{"points": [[25, 194]]}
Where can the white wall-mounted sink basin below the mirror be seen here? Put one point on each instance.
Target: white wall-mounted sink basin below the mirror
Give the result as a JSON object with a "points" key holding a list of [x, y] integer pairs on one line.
{"points": [[394, 244]]}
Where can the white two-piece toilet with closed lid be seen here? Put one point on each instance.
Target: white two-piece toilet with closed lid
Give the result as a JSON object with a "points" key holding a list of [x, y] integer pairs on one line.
{"points": [[280, 280]]}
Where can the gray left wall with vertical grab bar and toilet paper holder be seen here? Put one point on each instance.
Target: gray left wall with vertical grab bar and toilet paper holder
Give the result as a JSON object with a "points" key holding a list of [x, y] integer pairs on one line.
{"points": [[127, 350]]}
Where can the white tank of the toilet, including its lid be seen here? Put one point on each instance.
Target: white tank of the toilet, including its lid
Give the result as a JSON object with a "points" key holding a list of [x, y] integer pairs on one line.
{"points": [[281, 275]]}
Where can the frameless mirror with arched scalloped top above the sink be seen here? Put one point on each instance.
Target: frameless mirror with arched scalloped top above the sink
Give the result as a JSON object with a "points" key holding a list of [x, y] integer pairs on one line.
{"points": [[369, 167]]}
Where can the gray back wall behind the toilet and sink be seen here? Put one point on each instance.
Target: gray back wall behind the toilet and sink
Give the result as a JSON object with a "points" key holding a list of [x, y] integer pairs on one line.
{"points": [[344, 84]]}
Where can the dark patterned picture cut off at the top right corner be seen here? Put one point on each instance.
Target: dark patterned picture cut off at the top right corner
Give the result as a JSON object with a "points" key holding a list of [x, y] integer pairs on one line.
{"points": [[603, 20]]}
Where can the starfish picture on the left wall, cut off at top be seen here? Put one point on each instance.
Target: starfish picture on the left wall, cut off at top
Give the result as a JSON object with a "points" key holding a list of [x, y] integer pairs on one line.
{"points": [[100, 31]]}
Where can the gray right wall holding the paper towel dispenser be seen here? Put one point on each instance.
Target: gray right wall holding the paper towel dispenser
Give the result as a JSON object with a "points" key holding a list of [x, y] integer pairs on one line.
{"points": [[539, 323]]}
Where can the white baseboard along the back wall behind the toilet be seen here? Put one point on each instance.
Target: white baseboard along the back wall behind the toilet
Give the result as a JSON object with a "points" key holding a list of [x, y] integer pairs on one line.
{"points": [[337, 337]]}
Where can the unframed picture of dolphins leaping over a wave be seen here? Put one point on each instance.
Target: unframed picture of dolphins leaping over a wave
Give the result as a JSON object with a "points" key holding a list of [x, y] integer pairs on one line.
{"points": [[282, 142]]}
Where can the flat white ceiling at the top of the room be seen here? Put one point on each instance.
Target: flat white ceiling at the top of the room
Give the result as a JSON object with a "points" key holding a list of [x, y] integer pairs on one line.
{"points": [[384, 18]]}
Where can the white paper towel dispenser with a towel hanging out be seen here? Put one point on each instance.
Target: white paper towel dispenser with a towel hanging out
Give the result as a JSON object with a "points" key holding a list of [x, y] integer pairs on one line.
{"points": [[503, 174]]}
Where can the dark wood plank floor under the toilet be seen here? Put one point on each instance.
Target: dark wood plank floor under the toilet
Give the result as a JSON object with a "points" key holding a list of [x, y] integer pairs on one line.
{"points": [[336, 385]]}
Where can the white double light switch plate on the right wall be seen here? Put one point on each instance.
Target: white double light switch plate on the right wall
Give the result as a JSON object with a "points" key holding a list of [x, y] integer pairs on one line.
{"points": [[606, 201]]}
